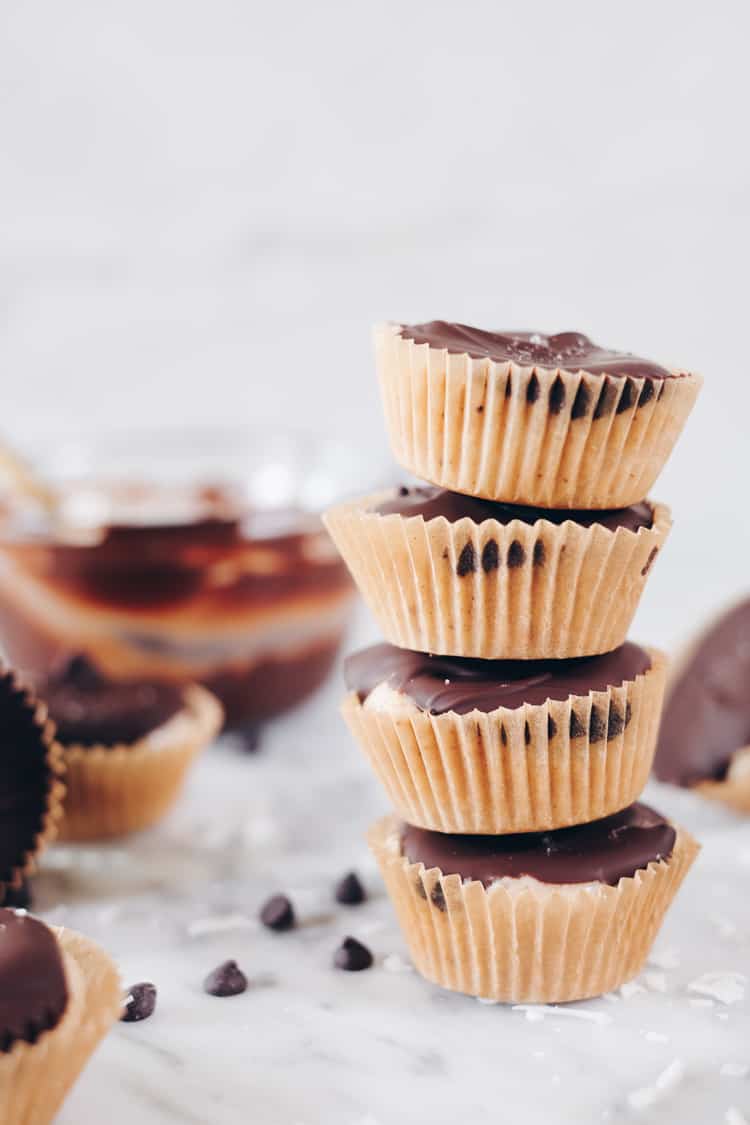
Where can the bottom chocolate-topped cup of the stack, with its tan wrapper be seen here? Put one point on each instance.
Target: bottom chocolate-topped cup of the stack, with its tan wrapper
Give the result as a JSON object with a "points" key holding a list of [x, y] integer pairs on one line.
{"points": [[543, 919]]}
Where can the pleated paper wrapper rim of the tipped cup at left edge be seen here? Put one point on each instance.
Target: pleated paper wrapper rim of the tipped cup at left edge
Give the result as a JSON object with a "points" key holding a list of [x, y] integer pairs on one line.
{"points": [[22, 698]]}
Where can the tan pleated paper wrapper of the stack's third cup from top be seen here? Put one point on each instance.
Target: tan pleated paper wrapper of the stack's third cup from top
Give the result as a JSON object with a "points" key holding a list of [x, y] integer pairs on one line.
{"points": [[501, 772]]}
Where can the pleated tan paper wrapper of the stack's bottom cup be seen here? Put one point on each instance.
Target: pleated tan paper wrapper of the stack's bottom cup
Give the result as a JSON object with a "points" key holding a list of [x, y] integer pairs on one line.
{"points": [[525, 942]]}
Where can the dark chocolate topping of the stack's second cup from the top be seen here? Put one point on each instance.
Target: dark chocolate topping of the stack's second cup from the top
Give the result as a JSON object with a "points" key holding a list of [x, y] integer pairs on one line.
{"points": [[431, 502]]}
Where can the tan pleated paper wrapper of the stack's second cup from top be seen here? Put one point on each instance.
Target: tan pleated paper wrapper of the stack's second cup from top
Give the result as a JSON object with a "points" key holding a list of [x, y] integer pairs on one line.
{"points": [[494, 591]]}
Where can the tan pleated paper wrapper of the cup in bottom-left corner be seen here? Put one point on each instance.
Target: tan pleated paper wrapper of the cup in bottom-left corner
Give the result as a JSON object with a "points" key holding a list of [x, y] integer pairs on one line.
{"points": [[35, 1078]]}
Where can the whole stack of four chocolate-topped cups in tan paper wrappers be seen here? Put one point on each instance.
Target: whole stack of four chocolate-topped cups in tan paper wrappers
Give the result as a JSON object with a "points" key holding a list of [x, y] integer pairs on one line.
{"points": [[511, 723]]}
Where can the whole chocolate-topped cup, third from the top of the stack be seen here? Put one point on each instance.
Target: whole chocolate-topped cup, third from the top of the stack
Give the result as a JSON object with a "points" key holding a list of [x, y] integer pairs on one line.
{"points": [[493, 748]]}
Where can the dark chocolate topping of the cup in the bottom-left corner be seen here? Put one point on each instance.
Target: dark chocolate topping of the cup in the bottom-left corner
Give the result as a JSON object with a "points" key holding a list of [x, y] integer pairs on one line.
{"points": [[33, 987]]}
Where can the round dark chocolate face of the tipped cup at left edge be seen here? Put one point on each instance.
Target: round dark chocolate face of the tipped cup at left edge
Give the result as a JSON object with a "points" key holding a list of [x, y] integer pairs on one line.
{"points": [[26, 778]]}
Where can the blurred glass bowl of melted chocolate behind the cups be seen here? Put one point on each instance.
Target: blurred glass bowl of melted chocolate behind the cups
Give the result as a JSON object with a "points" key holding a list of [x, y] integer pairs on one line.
{"points": [[177, 584]]}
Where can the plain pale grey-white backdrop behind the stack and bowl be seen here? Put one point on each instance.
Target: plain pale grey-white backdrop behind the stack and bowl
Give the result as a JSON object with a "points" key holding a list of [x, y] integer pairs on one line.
{"points": [[204, 209]]}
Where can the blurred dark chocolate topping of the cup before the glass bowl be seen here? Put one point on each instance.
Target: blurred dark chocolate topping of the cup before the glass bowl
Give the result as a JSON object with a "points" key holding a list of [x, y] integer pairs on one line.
{"points": [[88, 709]]}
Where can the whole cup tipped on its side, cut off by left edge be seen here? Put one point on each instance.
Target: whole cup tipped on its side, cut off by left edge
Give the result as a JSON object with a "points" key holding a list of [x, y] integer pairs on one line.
{"points": [[31, 787]]}
